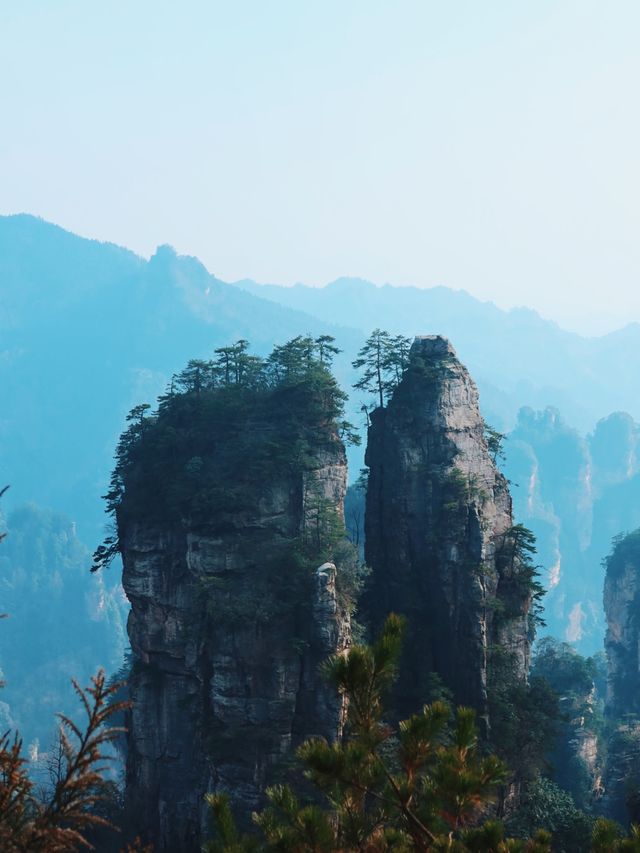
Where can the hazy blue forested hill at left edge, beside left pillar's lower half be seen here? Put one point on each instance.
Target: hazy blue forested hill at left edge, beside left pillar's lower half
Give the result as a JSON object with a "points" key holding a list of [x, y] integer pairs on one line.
{"points": [[51, 604]]}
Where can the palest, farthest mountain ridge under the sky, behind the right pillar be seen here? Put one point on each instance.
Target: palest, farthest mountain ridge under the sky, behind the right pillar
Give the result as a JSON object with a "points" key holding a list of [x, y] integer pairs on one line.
{"points": [[517, 352]]}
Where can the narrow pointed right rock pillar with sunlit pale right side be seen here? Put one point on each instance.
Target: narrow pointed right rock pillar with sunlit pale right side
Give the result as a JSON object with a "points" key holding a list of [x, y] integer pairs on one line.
{"points": [[438, 516]]}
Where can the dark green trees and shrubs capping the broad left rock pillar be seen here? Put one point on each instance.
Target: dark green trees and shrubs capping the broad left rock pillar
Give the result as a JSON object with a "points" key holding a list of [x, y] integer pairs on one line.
{"points": [[225, 428]]}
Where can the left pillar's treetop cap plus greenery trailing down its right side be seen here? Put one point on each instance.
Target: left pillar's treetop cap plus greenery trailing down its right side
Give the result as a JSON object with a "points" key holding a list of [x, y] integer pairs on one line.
{"points": [[232, 436]]}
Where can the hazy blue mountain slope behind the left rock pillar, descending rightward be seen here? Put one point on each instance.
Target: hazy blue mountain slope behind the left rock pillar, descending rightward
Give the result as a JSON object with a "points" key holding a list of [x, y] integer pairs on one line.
{"points": [[87, 330]]}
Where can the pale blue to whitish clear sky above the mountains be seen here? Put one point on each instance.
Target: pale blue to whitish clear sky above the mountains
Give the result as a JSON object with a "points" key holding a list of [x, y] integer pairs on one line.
{"points": [[490, 146]]}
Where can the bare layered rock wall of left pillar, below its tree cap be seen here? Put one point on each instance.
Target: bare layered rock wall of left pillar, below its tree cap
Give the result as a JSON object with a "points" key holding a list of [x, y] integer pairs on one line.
{"points": [[227, 643]]}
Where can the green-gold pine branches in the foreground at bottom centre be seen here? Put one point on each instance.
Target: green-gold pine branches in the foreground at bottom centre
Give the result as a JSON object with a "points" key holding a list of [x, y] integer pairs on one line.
{"points": [[422, 785]]}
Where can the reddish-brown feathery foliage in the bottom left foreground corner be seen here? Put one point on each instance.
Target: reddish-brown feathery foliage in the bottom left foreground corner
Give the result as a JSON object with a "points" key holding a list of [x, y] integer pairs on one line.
{"points": [[58, 824]]}
